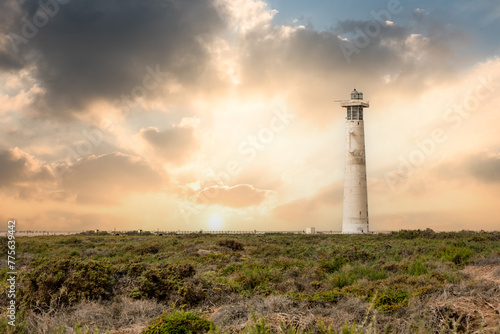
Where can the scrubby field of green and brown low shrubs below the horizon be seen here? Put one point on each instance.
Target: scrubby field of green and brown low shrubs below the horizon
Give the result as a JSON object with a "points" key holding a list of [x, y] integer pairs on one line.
{"points": [[403, 282]]}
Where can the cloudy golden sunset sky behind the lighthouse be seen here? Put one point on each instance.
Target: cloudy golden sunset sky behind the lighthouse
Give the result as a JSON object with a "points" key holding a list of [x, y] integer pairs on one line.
{"points": [[221, 114]]}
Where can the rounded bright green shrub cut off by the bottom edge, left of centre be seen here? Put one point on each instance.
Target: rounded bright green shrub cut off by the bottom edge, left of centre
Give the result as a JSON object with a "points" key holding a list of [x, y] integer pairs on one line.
{"points": [[179, 322]]}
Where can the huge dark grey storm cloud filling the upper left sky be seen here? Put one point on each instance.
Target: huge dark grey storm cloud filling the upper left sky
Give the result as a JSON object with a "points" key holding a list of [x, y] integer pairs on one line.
{"points": [[92, 49]]}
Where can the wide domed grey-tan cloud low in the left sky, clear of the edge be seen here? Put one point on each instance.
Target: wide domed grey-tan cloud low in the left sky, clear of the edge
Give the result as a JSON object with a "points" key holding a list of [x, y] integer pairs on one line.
{"points": [[108, 178]]}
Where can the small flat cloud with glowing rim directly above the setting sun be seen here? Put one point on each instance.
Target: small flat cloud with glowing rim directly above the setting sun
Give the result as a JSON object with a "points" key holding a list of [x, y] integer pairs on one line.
{"points": [[239, 196]]}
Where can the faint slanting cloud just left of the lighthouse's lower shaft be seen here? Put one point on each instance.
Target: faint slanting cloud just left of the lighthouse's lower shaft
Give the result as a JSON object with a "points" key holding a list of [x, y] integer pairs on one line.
{"points": [[304, 209]]}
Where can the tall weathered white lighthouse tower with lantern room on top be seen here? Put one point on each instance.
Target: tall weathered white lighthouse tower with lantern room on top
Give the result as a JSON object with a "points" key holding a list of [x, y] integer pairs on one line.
{"points": [[355, 210]]}
